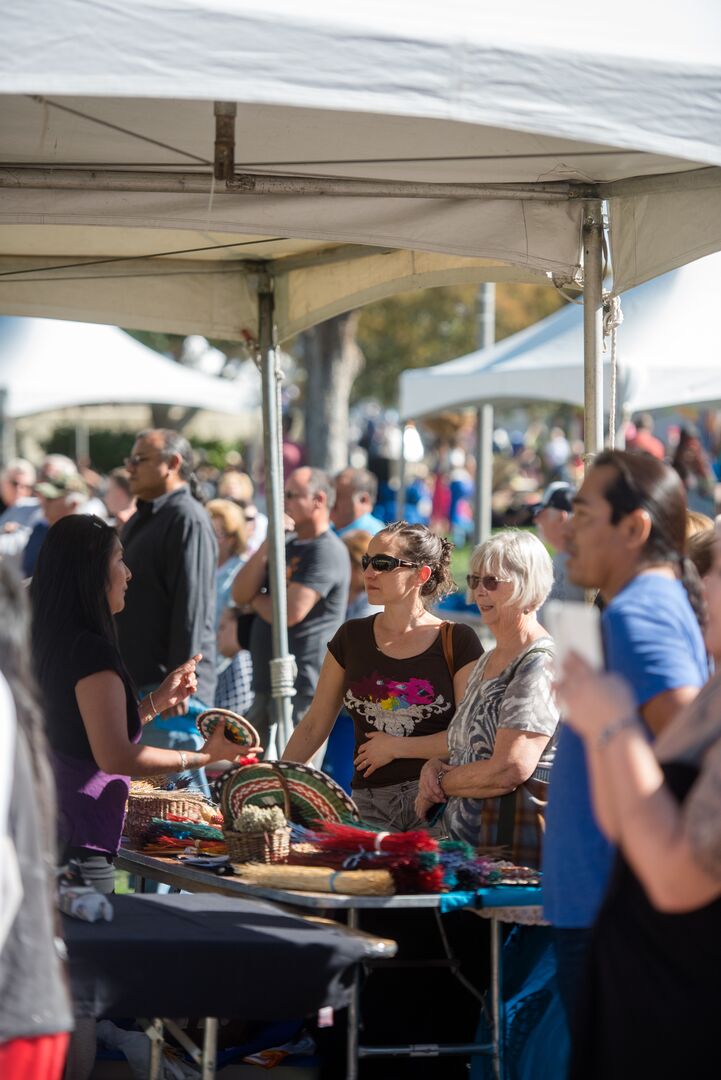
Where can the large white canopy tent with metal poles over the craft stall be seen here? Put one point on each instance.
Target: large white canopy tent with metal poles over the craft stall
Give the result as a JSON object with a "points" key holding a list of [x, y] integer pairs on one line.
{"points": [[223, 167]]}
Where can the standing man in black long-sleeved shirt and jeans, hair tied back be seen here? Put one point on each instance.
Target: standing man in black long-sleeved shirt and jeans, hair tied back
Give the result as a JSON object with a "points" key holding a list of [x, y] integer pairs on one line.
{"points": [[170, 611]]}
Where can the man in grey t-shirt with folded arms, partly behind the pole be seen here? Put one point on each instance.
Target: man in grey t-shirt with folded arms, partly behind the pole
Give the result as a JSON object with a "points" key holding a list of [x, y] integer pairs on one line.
{"points": [[318, 575]]}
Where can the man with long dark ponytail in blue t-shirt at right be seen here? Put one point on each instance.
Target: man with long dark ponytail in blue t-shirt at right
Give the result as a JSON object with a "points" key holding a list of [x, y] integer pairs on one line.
{"points": [[628, 539]]}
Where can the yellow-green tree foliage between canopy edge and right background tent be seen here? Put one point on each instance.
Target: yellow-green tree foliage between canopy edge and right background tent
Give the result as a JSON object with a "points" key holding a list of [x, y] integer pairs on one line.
{"points": [[418, 330]]}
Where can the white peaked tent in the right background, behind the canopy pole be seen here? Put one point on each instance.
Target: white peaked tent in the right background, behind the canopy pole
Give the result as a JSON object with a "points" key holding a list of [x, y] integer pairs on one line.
{"points": [[669, 354]]}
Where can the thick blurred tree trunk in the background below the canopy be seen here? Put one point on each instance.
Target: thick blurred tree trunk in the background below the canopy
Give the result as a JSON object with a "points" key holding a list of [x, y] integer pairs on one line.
{"points": [[333, 360]]}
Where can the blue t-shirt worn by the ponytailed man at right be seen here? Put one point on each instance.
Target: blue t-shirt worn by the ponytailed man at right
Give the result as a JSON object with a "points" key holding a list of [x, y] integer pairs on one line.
{"points": [[651, 638]]}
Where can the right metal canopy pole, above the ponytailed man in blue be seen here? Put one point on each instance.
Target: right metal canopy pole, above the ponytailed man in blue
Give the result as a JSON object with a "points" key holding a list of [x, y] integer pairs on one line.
{"points": [[593, 328]]}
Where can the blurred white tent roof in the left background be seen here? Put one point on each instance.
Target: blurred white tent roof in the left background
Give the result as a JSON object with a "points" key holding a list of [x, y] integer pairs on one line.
{"points": [[48, 366]]}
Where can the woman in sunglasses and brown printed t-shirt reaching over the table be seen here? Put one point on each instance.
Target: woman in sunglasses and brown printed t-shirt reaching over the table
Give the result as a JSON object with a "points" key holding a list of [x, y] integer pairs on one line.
{"points": [[393, 676]]}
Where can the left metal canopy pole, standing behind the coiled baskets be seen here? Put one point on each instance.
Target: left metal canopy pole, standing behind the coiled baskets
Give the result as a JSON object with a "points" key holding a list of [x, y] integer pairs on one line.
{"points": [[270, 379]]}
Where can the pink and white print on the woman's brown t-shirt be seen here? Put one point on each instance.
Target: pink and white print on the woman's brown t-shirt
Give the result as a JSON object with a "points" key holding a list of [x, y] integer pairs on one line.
{"points": [[394, 707]]}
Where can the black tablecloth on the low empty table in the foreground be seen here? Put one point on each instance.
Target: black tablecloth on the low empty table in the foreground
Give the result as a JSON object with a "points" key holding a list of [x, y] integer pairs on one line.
{"points": [[205, 955]]}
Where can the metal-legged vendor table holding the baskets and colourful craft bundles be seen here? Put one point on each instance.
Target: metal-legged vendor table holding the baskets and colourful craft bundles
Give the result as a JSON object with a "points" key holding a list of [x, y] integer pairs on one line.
{"points": [[498, 903]]}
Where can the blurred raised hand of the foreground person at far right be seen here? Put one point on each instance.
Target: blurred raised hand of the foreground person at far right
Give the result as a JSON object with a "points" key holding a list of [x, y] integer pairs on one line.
{"points": [[589, 700]]}
